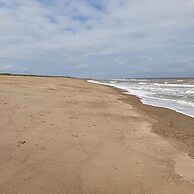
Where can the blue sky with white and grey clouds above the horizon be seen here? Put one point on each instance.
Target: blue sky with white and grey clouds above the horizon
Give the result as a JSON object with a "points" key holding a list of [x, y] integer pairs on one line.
{"points": [[97, 38]]}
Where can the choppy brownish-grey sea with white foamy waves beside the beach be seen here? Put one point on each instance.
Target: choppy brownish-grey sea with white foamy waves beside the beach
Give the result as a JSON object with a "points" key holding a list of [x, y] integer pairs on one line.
{"points": [[175, 94]]}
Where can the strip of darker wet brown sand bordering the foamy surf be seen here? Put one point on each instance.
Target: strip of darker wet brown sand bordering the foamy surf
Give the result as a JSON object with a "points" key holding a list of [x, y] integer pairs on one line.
{"points": [[175, 127]]}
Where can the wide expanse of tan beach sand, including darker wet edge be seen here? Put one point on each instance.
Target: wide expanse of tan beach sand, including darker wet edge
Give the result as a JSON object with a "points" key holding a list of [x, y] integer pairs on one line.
{"points": [[63, 136]]}
